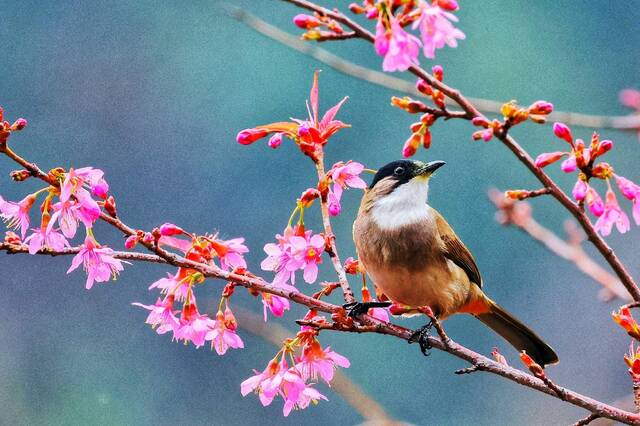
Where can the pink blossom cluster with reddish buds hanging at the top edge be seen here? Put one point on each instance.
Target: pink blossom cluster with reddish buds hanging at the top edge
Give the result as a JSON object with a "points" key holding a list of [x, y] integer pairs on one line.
{"points": [[400, 49]]}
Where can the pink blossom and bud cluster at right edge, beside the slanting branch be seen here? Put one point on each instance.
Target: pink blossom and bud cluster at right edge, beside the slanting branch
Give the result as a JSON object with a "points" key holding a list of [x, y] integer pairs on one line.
{"points": [[582, 159]]}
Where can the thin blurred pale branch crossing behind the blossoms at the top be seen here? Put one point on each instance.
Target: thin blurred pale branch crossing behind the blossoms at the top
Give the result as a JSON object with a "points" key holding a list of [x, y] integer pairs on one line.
{"points": [[626, 122]]}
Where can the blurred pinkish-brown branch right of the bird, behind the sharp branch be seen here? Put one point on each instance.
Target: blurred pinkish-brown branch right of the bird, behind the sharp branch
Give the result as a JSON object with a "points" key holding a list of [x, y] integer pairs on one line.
{"points": [[519, 214]]}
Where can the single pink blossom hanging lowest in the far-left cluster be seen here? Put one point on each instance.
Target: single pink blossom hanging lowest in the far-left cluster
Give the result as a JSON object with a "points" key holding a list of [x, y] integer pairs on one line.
{"points": [[98, 262]]}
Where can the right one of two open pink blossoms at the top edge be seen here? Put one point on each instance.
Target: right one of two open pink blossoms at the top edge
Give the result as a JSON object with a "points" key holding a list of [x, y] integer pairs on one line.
{"points": [[436, 29]]}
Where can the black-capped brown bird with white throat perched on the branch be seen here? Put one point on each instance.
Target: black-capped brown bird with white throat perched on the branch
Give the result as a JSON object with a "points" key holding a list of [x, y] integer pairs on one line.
{"points": [[416, 260]]}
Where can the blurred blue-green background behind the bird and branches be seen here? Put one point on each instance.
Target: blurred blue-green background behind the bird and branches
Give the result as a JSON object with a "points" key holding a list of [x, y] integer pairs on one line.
{"points": [[154, 94]]}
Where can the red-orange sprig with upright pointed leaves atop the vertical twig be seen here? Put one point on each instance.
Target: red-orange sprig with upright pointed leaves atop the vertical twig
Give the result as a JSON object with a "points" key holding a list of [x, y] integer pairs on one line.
{"points": [[311, 135]]}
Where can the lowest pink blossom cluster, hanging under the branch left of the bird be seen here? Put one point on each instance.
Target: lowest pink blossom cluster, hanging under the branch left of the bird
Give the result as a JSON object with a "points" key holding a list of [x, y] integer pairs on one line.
{"points": [[295, 370]]}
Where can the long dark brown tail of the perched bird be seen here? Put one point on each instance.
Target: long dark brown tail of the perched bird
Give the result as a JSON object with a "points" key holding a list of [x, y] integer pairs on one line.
{"points": [[515, 332]]}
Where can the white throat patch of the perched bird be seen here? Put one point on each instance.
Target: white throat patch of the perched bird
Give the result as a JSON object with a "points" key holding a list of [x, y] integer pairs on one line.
{"points": [[406, 205]]}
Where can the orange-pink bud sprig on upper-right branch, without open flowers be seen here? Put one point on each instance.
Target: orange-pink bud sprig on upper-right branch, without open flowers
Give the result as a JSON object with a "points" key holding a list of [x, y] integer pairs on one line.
{"points": [[513, 114]]}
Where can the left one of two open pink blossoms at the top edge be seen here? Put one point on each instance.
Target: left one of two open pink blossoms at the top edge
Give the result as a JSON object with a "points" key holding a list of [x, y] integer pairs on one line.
{"points": [[403, 49]]}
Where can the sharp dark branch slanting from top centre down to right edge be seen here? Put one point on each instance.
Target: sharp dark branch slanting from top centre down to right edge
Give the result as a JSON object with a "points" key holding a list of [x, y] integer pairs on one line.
{"points": [[472, 111]]}
